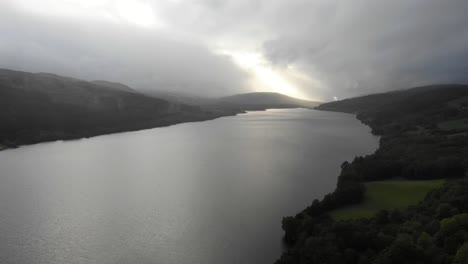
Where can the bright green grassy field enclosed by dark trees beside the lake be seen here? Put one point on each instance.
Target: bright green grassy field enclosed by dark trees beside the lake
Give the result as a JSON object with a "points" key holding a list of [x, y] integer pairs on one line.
{"points": [[392, 194]]}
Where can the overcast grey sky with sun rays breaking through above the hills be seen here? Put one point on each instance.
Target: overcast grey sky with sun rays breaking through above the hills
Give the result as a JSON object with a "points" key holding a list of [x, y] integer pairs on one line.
{"points": [[312, 49]]}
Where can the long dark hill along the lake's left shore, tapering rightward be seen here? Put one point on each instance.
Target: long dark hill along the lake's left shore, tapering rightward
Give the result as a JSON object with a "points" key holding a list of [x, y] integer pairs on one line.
{"points": [[43, 107]]}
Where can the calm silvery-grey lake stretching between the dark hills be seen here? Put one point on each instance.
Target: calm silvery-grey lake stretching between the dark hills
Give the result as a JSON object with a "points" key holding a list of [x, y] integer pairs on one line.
{"points": [[208, 192]]}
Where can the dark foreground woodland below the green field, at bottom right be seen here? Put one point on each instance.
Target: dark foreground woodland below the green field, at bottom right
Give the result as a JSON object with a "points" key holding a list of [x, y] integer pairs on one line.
{"points": [[435, 231]]}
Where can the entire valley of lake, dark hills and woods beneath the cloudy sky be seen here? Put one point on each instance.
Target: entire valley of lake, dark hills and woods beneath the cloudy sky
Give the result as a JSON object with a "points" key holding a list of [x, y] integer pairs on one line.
{"points": [[143, 182]]}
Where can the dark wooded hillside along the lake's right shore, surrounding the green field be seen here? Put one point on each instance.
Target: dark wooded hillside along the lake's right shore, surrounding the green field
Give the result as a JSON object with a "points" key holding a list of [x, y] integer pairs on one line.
{"points": [[411, 147]]}
